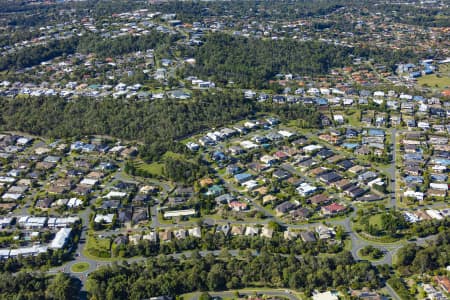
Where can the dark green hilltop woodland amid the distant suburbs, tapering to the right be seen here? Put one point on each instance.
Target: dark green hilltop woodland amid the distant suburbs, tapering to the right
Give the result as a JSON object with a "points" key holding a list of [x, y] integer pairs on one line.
{"points": [[251, 63]]}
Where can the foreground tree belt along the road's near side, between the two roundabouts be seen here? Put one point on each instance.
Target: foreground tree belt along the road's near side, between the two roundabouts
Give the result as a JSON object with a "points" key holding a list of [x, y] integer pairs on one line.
{"points": [[168, 276]]}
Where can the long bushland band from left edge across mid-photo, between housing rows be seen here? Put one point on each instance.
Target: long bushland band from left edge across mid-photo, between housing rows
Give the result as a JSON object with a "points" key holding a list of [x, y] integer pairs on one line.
{"points": [[158, 124]]}
